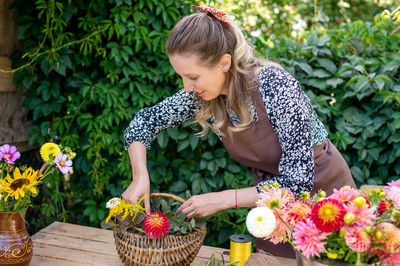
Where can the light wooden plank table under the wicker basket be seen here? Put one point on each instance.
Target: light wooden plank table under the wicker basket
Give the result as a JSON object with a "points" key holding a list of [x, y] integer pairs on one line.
{"points": [[72, 245]]}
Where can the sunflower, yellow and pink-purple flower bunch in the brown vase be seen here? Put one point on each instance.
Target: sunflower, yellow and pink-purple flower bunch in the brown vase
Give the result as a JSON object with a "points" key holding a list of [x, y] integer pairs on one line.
{"points": [[19, 184]]}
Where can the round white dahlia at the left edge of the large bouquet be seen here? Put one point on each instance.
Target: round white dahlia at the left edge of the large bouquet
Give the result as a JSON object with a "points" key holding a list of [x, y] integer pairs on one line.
{"points": [[261, 222]]}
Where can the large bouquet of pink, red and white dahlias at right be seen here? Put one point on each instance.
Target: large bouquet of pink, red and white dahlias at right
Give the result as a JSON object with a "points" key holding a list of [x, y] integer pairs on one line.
{"points": [[348, 226]]}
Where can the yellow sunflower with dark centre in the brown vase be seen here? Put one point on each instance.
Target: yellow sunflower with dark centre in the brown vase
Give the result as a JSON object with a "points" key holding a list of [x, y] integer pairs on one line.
{"points": [[18, 185]]}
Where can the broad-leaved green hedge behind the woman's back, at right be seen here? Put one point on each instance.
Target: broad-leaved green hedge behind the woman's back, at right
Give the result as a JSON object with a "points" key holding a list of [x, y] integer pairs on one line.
{"points": [[352, 76]]}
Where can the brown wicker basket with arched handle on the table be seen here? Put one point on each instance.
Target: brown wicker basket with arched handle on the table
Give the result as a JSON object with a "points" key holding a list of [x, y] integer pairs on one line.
{"points": [[137, 249]]}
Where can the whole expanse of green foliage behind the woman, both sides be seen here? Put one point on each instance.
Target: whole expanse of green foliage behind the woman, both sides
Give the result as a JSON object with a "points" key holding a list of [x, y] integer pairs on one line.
{"points": [[92, 65]]}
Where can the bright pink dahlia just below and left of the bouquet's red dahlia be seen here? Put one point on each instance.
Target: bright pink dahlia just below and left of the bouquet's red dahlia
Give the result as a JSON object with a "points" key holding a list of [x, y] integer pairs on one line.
{"points": [[308, 239]]}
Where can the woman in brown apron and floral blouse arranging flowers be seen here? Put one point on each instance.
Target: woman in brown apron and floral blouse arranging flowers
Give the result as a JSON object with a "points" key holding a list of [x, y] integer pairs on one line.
{"points": [[258, 110]]}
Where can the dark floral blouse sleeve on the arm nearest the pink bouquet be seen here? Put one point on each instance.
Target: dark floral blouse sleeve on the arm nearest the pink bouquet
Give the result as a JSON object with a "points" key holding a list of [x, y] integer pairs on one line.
{"points": [[290, 114]]}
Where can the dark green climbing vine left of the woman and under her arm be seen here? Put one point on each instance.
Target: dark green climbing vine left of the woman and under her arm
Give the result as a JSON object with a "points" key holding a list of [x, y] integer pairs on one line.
{"points": [[110, 65]]}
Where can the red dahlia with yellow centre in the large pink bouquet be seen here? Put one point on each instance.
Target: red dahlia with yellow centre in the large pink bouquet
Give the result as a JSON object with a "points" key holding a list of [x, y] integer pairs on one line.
{"points": [[328, 215]]}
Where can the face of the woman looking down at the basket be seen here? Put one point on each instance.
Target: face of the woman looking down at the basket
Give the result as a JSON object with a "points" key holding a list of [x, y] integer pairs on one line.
{"points": [[207, 82]]}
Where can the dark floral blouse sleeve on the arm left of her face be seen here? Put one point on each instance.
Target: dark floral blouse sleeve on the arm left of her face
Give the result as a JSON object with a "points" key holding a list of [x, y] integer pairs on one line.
{"points": [[171, 112]]}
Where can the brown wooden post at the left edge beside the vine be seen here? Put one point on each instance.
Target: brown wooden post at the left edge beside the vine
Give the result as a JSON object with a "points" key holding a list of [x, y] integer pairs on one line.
{"points": [[14, 126]]}
